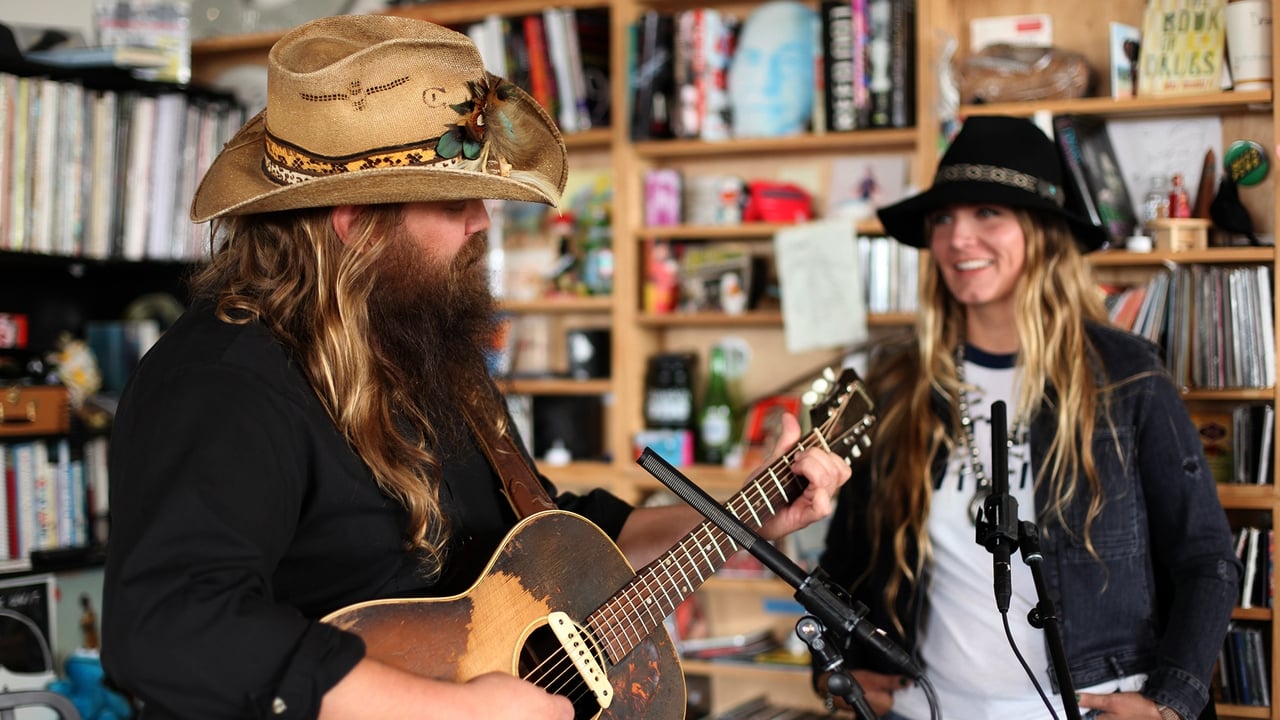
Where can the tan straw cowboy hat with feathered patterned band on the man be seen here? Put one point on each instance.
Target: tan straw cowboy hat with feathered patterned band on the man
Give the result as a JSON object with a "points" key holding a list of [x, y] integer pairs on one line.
{"points": [[369, 110]]}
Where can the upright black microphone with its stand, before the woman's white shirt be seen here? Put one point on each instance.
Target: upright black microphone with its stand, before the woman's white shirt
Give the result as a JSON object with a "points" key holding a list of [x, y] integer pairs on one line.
{"points": [[1000, 532]]}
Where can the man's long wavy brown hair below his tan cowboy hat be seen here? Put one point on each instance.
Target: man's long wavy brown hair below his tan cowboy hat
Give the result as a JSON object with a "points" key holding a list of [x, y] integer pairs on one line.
{"points": [[292, 274]]}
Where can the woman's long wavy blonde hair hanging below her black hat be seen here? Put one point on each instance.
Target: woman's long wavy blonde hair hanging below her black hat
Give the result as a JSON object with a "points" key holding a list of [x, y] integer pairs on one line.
{"points": [[1053, 299]]}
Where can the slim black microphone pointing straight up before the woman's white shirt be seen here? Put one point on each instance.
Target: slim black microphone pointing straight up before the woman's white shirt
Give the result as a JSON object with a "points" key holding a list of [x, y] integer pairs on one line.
{"points": [[998, 522]]}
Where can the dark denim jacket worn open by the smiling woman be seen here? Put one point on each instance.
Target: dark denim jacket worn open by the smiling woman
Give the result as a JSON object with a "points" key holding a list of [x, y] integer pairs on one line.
{"points": [[1160, 599]]}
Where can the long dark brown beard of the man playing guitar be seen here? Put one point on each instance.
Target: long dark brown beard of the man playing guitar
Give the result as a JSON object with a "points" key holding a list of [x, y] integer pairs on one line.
{"points": [[435, 325]]}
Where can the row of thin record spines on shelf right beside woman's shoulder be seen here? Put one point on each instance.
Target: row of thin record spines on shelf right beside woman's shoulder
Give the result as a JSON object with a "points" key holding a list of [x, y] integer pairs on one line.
{"points": [[1214, 323]]}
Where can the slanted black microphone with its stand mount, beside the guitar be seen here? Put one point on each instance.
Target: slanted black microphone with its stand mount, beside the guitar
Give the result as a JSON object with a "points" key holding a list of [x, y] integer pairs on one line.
{"points": [[828, 605]]}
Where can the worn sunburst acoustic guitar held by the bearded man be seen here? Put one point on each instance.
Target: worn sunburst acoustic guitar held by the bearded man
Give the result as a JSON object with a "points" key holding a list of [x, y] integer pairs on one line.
{"points": [[559, 604]]}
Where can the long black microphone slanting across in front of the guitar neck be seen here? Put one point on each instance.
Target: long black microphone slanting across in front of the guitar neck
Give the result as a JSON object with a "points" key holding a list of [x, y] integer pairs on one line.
{"points": [[820, 596]]}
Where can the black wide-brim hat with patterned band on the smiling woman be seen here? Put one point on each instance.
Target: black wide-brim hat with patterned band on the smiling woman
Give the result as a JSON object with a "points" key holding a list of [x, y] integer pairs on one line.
{"points": [[996, 161]]}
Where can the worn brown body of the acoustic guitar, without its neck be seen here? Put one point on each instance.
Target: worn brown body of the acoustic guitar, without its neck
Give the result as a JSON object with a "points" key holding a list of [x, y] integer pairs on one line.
{"points": [[550, 562]]}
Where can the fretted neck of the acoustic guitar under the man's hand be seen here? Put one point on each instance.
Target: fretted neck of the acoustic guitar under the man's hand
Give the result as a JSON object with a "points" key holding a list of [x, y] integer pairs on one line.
{"points": [[642, 605]]}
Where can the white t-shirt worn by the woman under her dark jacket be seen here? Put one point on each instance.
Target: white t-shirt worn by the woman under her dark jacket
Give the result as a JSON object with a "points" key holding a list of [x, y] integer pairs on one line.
{"points": [[963, 644]]}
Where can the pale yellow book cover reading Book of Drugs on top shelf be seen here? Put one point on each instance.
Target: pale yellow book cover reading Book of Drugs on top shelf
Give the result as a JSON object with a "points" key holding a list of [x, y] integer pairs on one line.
{"points": [[1183, 48]]}
